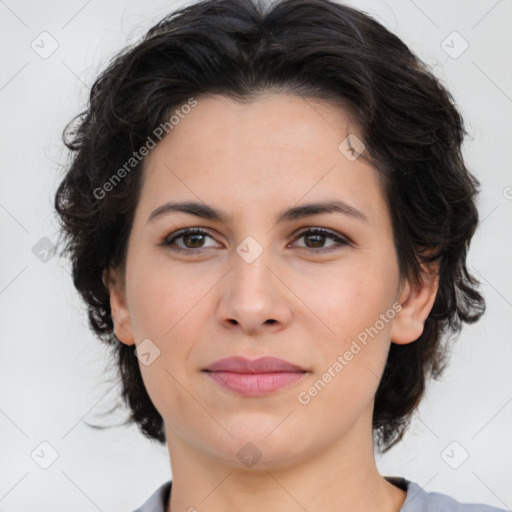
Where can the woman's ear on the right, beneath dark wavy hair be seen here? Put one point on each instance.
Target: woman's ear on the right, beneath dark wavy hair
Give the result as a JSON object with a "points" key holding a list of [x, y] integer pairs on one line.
{"points": [[416, 300]]}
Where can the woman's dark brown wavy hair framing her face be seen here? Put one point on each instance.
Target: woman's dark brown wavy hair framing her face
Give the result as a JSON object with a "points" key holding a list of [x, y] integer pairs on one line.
{"points": [[318, 49]]}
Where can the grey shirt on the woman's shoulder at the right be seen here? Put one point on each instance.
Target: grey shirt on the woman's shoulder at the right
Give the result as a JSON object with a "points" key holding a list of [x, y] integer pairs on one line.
{"points": [[419, 500]]}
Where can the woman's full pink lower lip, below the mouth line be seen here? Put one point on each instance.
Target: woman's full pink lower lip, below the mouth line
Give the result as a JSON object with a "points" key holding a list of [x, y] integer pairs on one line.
{"points": [[255, 384]]}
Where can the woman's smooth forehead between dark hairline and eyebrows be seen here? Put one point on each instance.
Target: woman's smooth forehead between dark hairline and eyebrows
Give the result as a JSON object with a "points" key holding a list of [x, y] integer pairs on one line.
{"points": [[274, 148]]}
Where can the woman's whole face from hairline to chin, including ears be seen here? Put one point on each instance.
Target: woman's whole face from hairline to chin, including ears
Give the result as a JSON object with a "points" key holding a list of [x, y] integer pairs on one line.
{"points": [[260, 283]]}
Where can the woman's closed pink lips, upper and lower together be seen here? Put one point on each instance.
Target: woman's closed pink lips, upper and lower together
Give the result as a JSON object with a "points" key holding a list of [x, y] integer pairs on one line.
{"points": [[256, 377]]}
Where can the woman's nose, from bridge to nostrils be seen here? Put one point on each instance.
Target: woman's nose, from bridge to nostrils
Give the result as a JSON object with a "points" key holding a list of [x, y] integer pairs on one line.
{"points": [[254, 297]]}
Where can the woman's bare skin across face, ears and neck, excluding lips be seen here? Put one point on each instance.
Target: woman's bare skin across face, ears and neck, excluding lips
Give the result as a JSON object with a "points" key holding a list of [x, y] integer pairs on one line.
{"points": [[253, 160]]}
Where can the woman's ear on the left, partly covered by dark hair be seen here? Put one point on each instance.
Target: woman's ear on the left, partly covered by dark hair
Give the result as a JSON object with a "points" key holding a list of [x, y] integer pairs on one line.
{"points": [[118, 306]]}
